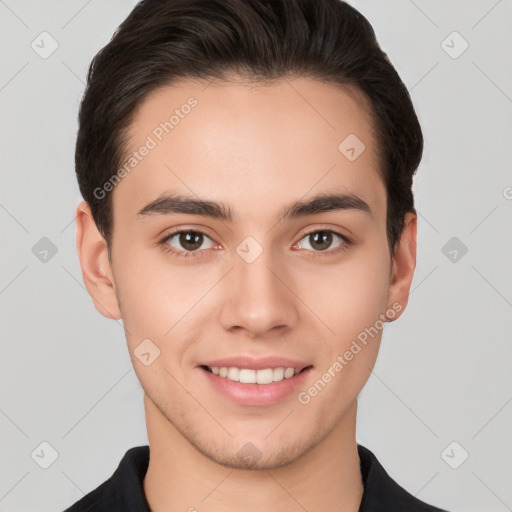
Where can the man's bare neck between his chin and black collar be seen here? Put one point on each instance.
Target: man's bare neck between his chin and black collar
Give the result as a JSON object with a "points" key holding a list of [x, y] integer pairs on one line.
{"points": [[326, 476]]}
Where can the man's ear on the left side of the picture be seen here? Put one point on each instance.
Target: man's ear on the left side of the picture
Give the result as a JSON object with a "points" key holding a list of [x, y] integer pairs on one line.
{"points": [[96, 270]]}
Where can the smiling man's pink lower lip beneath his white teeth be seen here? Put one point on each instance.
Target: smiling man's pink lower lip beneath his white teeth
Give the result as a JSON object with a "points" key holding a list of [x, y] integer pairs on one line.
{"points": [[256, 394]]}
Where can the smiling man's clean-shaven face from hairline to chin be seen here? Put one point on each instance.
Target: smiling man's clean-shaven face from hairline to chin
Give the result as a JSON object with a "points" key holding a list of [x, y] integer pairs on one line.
{"points": [[252, 283]]}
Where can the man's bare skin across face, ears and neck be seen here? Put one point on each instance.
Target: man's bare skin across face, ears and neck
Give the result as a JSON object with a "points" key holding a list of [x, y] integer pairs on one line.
{"points": [[256, 148]]}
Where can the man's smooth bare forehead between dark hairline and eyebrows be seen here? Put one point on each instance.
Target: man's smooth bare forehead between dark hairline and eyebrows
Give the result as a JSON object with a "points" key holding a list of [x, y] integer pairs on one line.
{"points": [[251, 145]]}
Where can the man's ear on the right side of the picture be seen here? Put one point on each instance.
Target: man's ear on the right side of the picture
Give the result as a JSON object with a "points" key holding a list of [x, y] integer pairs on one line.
{"points": [[403, 264]]}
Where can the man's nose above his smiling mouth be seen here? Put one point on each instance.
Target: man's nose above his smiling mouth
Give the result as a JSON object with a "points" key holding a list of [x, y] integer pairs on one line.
{"points": [[258, 298]]}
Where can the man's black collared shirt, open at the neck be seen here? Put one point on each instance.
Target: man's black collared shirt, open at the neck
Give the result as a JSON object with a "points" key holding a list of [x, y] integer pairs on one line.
{"points": [[123, 491]]}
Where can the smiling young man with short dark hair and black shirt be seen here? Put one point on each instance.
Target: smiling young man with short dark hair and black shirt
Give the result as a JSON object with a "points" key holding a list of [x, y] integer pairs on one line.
{"points": [[246, 168]]}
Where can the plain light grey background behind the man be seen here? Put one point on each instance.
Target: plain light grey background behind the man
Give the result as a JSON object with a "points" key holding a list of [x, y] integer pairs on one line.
{"points": [[444, 371]]}
